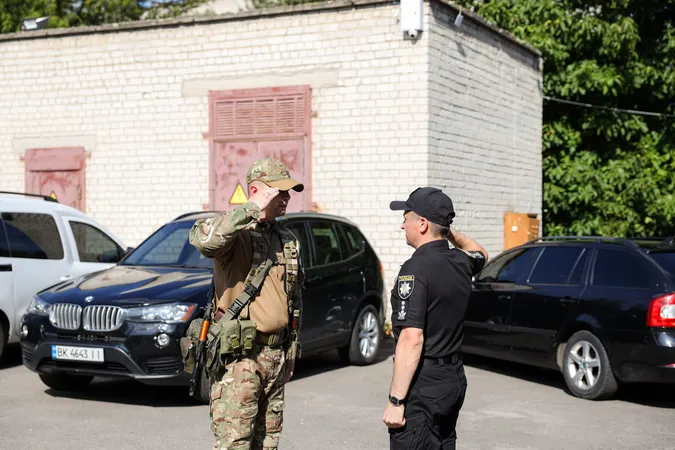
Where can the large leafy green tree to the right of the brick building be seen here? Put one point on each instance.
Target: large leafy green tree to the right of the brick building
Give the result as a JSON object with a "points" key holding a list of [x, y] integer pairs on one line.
{"points": [[605, 172]]}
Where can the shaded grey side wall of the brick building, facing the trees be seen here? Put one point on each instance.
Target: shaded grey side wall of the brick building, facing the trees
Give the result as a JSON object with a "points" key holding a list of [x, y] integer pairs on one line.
{"points": [[485, 125]]}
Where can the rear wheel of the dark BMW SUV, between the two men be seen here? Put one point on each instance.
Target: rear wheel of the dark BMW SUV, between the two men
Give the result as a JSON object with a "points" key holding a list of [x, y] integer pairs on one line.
{"points": [[365, 340]]}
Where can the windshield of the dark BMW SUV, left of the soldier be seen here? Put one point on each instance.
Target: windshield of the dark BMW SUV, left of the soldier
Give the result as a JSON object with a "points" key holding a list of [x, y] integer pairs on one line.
{"points": [[169, 247]]}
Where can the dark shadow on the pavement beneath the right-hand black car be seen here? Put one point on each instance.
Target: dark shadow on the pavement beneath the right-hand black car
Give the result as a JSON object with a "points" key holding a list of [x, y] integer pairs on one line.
{"points": [[659, 396]]}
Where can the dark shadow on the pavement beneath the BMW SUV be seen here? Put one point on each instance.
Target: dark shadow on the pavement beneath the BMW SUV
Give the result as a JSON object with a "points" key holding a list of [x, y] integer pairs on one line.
{"points": [[136, 393]]}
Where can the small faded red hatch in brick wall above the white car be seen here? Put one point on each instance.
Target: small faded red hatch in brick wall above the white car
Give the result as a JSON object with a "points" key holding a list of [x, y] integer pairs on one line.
{"points": [[58, 173]]}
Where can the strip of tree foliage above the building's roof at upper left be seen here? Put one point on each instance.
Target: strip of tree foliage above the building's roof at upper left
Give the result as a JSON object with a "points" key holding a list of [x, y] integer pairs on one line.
{"points": [[70, 13]]}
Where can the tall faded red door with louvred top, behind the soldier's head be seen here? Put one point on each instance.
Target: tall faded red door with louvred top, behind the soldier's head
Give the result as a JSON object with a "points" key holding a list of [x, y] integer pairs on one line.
{"points": [[250, 124]]}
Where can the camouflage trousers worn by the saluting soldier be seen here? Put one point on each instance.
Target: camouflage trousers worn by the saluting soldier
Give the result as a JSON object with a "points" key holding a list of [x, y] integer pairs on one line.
{"points": [[247, 401]]}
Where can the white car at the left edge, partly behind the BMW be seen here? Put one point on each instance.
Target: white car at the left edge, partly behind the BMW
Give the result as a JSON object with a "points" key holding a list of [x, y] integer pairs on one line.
{"points": [[43, 243]]}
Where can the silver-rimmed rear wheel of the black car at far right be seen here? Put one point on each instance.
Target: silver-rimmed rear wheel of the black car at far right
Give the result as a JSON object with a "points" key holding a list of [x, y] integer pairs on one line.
{"points": [[586, 367]]}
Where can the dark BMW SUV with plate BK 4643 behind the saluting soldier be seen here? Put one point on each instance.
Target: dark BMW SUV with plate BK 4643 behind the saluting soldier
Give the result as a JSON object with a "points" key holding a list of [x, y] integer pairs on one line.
{"points": [[126, 321]]}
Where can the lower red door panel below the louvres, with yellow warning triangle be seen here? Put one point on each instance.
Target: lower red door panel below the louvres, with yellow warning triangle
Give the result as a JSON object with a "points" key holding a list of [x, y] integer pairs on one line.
{"points": [[234, 158]]}
